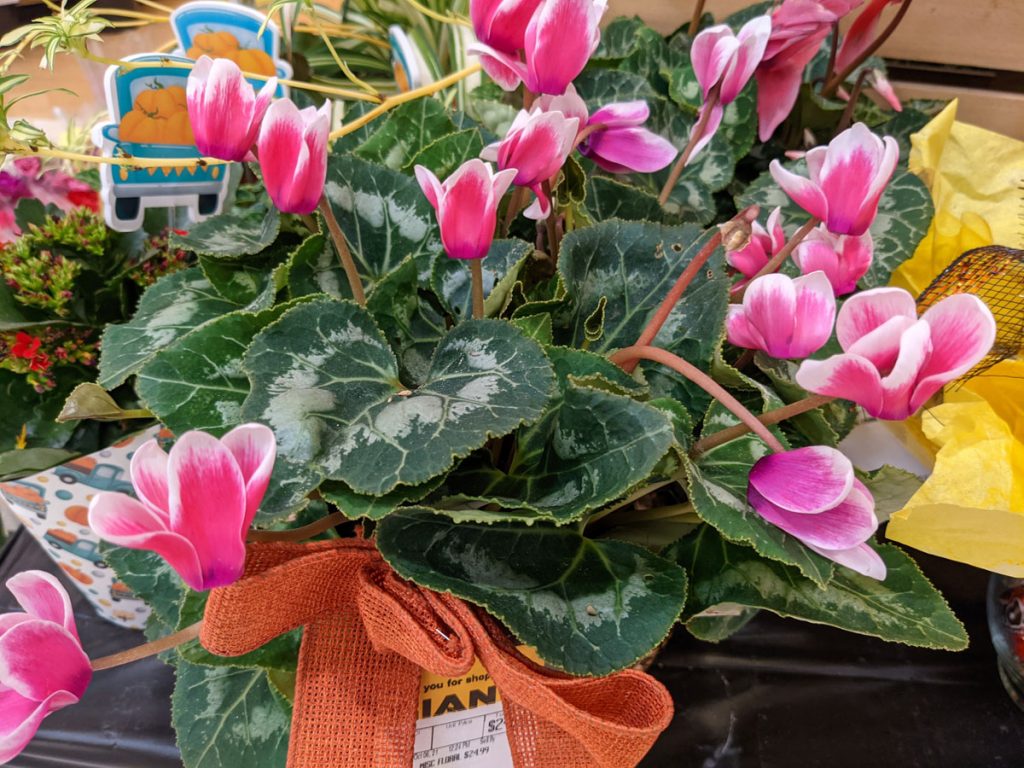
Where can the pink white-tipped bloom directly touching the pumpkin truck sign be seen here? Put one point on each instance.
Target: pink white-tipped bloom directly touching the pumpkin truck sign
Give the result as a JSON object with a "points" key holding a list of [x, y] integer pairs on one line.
{"points": [[225, 110]]}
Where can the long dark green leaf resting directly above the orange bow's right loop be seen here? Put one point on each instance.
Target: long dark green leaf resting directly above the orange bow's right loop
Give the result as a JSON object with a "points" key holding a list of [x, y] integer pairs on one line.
{"points": [[588, 607]]}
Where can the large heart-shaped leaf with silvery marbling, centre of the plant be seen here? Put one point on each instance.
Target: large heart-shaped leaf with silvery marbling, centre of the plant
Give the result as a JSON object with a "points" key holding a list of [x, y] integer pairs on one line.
{"points": [[326, 380]]}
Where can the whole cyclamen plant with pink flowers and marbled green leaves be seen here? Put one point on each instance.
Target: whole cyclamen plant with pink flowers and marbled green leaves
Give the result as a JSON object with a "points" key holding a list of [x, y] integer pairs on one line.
{"points": [[596, 415]]}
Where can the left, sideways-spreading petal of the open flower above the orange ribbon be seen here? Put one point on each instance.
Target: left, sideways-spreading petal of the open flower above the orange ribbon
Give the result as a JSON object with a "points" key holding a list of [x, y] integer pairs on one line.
{"points": [[122, 521]]}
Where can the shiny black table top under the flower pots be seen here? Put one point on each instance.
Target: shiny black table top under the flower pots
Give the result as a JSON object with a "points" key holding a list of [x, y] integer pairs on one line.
{"points": [[778, 695]]}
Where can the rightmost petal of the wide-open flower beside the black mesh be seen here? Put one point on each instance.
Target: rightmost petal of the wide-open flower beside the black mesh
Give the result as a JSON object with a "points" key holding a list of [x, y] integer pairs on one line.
{"points": [[963, 332]]}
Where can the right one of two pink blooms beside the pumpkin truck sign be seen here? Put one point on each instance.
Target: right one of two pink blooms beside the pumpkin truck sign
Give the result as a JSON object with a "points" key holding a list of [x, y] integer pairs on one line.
{"points": [[293, 155]]}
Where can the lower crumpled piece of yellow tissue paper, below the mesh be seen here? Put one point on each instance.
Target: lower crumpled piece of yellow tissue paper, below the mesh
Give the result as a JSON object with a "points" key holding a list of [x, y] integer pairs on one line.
{"points": [[972, 507]]}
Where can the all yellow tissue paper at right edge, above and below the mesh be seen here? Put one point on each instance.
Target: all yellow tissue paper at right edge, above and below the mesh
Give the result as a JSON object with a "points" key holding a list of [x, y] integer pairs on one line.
{"points": [[972, 507]]}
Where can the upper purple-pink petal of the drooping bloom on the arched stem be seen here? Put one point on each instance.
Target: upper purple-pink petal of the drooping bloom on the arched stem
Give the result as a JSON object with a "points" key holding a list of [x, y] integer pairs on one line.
{"points": [[806, 481]]}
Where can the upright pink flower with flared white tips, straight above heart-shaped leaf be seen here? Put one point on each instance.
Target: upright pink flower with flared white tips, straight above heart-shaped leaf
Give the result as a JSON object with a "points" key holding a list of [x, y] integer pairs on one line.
{"points": [[466, 206]]}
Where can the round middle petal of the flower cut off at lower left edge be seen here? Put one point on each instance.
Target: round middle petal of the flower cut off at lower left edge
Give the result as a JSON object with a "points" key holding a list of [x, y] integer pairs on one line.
{"points": [[39, 659]]}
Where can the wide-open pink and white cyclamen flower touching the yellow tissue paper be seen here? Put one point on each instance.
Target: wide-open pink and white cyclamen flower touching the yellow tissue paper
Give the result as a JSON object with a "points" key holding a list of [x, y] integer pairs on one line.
{"points": [[892, 361]]}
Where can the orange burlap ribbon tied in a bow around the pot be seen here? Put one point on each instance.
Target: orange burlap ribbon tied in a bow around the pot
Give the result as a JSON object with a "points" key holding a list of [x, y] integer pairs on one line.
{"points": [[368, 634]]}
